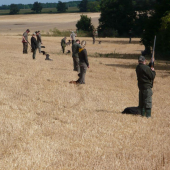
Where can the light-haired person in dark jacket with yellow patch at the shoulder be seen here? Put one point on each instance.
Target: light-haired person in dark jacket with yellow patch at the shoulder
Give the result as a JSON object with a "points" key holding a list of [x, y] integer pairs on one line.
{"points": [[84, 64]]}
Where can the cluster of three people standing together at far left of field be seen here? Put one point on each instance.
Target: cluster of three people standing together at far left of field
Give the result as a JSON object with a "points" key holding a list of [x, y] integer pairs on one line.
{"points": [[35, 42]]}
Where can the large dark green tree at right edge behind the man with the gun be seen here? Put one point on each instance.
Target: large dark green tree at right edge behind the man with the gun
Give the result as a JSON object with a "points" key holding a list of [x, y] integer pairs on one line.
{"points": [[155, 25]]}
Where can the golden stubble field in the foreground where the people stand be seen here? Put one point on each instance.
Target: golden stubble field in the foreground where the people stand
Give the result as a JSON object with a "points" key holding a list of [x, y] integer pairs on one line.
{"points": [[47, 123]]}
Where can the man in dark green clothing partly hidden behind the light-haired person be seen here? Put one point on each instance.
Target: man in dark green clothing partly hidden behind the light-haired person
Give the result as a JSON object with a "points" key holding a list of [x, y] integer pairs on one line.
{"points": [[75, 51]]}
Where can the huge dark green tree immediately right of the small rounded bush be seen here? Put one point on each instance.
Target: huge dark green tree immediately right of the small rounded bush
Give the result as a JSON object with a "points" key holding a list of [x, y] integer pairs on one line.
{"points": [[117, 15]]}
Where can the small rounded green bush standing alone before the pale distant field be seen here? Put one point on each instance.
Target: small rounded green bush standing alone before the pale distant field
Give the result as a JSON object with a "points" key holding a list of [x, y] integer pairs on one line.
{"points": [[84, 23]]}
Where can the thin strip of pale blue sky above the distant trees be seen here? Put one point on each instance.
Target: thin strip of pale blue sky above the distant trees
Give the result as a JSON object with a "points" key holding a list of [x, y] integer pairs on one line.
{"points": [[8, 2]]}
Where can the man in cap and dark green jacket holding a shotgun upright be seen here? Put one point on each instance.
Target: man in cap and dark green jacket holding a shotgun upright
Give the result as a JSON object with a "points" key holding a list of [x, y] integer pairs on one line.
{"points": [[145, 77]]}
